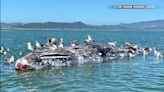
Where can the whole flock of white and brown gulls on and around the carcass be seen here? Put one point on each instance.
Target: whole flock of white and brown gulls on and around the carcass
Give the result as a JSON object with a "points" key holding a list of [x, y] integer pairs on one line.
{"points": [[52, 45]]}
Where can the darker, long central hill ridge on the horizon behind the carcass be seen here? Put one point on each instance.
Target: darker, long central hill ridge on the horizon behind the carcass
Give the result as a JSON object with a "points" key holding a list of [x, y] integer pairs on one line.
{"points": [[74, 25]]}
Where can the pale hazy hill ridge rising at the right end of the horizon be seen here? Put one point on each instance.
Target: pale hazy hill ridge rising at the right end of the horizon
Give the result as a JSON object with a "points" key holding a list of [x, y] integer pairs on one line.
{"points": [[144, 23]]}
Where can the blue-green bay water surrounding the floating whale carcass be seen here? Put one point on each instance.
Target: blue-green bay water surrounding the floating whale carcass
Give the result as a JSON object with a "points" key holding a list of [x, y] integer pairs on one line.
{"points": [[135, 74]]}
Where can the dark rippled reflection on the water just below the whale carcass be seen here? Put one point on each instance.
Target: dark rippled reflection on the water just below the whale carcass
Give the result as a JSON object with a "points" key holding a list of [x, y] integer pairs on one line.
{"points": [[59, 71]]}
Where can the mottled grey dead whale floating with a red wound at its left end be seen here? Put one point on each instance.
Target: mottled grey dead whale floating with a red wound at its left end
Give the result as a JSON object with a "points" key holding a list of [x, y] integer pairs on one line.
{"points": [[70, 55]]}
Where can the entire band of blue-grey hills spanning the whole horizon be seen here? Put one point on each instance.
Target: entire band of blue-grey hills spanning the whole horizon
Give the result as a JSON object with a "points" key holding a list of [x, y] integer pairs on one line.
{"points": [[147, 25]]}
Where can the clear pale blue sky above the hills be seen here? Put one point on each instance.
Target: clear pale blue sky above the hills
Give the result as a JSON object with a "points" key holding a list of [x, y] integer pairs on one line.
{"points": [[94, 12]]}
